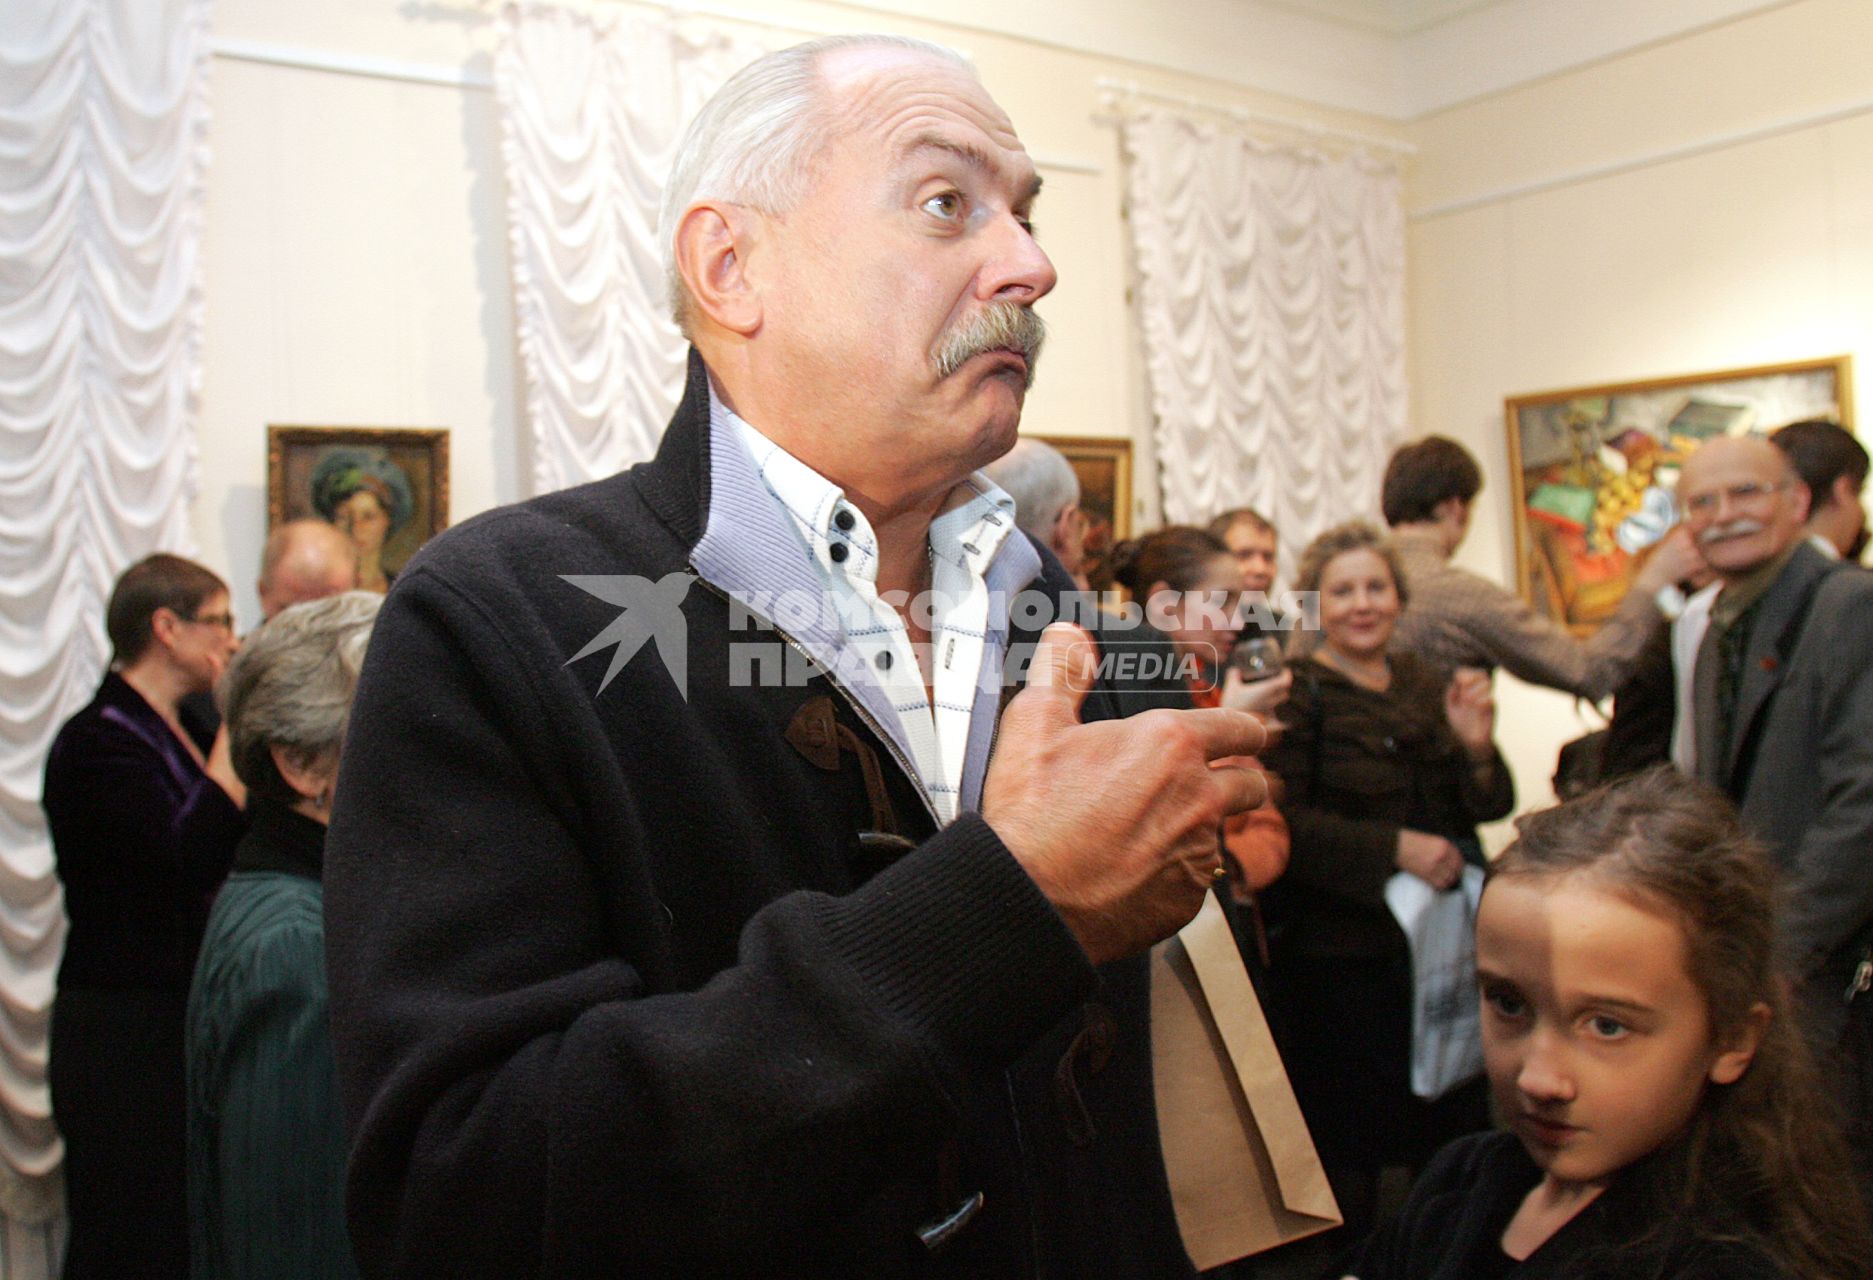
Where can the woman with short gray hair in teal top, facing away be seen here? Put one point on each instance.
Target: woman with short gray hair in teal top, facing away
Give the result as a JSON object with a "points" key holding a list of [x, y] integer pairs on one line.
{"points": [[267, 1140]]}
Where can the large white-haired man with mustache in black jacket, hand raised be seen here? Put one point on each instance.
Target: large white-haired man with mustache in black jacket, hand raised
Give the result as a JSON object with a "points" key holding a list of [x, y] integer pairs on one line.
{"points": [[681, 919]]}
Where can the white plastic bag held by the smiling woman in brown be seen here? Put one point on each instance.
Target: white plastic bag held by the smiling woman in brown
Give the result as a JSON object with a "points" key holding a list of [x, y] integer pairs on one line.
{"points": [[1447, 1035]]}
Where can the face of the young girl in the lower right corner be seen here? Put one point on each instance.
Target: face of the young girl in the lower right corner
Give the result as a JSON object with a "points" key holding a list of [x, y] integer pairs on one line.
{"points": [[1597, 1041]]}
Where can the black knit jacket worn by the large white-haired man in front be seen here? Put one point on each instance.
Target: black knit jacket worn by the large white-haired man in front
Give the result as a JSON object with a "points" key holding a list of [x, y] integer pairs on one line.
{"points": [[617, 990]]}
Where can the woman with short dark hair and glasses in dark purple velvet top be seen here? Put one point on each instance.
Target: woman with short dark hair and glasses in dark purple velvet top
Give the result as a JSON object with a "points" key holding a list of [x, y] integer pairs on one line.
{"points": [[143, 820]]}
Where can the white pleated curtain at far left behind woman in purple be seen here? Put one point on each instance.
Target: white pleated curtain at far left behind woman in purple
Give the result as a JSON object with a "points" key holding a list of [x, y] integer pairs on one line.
{"points": [[104, 119]]}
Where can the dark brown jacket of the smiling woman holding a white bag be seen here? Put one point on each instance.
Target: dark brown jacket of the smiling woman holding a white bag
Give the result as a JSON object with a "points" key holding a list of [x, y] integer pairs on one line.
{"points": [[1359, 767]]}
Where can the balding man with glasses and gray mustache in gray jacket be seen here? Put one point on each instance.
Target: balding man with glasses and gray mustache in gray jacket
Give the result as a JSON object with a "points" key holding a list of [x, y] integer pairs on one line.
{"points": [[1784, 721]]}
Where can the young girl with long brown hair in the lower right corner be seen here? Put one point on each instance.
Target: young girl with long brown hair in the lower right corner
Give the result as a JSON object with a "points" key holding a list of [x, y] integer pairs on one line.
{"points": [[1664, 1116]]}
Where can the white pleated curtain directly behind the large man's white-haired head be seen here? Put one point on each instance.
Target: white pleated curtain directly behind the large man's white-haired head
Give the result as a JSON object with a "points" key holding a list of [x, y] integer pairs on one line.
{"points": [[591, 113]]}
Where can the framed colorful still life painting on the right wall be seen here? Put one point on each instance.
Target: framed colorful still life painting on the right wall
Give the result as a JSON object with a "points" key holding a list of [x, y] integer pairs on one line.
{"points": [[1593, 469]]}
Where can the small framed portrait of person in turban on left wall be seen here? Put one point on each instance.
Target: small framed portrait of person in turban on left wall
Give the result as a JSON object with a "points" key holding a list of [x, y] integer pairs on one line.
{"points": [[385, 488]]}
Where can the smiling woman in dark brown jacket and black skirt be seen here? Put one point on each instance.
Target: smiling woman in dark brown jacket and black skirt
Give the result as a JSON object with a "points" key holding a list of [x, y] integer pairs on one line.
{"points": [[1387, 769]]}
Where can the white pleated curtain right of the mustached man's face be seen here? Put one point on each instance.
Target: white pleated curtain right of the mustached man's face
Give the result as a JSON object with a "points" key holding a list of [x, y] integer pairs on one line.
{"points": [[1273, 303]]}
